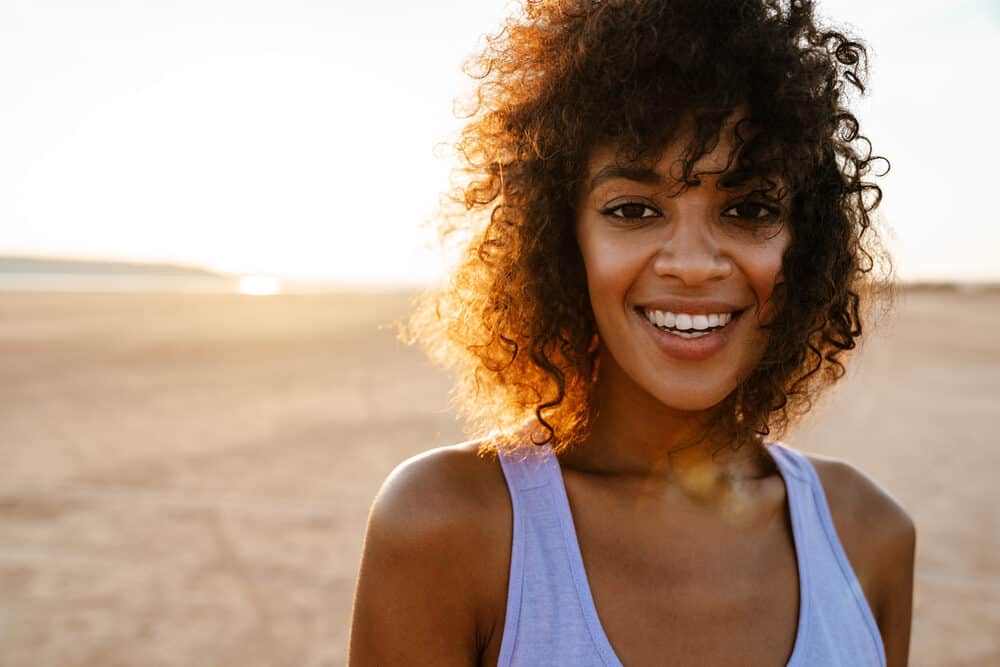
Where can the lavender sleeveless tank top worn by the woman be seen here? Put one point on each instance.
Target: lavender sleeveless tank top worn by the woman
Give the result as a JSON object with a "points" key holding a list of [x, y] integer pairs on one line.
{"points": [[551, 618]]}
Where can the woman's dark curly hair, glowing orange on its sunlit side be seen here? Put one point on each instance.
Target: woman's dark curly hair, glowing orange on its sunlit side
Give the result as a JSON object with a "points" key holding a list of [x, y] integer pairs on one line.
{"points": [[514, 322]]}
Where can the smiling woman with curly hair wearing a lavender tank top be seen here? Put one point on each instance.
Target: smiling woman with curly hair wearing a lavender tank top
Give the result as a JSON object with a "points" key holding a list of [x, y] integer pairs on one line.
{"points": [[669, 241]]}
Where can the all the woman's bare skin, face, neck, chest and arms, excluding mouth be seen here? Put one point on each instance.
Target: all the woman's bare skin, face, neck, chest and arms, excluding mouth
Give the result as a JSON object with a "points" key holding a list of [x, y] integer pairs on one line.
{"points": [[670, 535]]}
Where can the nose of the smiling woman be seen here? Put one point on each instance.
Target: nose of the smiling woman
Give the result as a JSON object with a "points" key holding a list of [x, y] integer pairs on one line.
{"points": [[691, 253]]}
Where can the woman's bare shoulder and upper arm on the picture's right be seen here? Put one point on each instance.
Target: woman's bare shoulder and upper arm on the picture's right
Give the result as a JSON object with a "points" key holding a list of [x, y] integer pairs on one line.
{"points": [[879, 538]]}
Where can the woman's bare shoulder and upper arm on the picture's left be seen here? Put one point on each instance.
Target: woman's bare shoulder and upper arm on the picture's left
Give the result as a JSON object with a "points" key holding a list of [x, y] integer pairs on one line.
{"points": [[434, 561]]}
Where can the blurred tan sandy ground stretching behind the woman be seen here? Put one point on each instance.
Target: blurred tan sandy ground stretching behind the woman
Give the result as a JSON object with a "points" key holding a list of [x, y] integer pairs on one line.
{"points": [[185, 479]]}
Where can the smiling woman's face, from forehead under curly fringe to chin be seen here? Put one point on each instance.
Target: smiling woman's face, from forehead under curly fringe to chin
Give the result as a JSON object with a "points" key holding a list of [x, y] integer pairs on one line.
{"points": [[680, 280]]}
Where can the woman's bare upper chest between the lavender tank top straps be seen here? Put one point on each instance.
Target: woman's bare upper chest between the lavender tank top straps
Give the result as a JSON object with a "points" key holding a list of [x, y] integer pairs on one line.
{"points": [[686, 583]]}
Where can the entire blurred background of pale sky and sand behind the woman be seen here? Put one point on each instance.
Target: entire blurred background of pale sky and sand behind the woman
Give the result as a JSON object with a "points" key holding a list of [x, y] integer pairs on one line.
{"points": [[210, 220]]}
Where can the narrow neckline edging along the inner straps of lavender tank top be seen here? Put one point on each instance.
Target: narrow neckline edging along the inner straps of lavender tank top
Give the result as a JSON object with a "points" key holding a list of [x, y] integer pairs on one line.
{"points": [[579, 573]]}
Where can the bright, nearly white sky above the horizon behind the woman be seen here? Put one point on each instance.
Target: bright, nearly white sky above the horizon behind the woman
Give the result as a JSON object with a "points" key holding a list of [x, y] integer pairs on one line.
{"points": [[297, 137]]}
